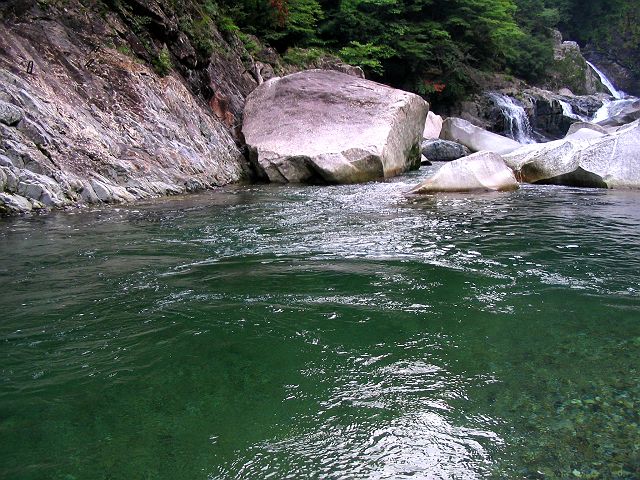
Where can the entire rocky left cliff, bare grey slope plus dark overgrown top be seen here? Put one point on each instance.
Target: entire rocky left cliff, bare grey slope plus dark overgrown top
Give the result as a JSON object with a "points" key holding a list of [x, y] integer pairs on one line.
{"points": [[104, 103]]}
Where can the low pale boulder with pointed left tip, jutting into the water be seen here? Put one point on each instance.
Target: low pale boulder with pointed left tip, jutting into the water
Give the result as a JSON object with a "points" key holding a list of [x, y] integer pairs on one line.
{"points": [[482, 171]]}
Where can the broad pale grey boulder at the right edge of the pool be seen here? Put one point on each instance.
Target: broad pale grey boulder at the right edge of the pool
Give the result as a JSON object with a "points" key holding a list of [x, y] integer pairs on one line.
{"points": [[607, 161]]}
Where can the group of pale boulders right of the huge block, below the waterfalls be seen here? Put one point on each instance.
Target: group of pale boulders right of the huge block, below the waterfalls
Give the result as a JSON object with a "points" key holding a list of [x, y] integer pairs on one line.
{"points": [[596, 155]]}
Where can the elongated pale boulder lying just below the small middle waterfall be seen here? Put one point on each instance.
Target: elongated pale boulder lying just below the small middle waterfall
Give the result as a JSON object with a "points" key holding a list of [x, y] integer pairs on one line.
{"points": [[476, 138]]}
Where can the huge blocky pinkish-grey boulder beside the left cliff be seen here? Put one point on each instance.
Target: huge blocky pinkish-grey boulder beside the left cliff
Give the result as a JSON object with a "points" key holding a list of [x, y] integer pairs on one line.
{"points": [[321, 126]]}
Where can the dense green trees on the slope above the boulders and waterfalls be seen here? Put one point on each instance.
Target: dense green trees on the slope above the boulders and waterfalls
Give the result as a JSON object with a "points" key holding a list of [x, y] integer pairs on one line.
{"points": [[434, 47]]}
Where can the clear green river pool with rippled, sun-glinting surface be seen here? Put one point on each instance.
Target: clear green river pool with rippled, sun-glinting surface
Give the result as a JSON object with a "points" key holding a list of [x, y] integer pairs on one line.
{"points": [[347, 332]]}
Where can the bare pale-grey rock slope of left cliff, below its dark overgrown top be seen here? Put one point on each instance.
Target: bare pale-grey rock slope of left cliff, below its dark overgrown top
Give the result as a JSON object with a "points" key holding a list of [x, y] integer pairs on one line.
{"points": [[116, 126]]}
